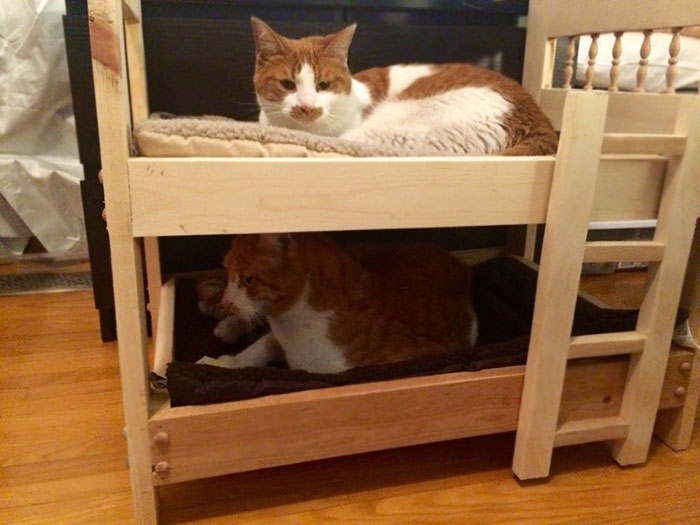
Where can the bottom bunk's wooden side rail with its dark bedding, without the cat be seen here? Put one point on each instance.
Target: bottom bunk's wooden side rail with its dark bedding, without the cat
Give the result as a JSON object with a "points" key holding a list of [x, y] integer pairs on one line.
{"points": [[326, 420]]}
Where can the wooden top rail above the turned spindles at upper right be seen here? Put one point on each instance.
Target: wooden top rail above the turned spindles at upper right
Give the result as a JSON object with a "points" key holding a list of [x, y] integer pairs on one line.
{"points": [[575, 18]]}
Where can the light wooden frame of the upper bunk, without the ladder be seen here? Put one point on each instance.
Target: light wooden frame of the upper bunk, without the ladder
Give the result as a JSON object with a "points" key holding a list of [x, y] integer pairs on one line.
{"points": [[220, 194]]}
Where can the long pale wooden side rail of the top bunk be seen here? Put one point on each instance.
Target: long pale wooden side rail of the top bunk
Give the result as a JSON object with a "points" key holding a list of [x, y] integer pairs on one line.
{"points": [[214, 195]]}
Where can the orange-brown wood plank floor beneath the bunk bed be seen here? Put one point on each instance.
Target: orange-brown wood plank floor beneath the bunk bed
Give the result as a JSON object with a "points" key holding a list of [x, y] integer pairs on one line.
{"points": [[62, 455]]}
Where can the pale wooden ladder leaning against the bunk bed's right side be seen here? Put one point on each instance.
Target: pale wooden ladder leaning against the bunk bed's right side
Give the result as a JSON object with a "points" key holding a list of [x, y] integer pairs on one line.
{"points": [[564, 251]]}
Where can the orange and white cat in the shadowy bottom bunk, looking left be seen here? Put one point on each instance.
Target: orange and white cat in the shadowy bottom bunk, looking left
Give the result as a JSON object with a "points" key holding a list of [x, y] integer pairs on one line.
{"points": [[330, 308]]}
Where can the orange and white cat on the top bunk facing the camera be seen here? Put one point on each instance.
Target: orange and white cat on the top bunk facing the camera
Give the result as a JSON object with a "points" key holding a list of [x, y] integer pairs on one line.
{"points": [[305, 84]]}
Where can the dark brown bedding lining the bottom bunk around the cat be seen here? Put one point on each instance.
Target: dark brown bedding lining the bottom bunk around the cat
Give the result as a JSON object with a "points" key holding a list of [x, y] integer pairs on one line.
{"points": [[504, 291]]}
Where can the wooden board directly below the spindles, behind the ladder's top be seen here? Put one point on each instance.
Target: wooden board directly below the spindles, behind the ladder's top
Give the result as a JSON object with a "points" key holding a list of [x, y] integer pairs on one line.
{"points": [[627, 112]]}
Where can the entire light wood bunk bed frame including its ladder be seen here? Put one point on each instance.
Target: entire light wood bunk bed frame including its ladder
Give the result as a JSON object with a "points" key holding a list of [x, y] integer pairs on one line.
{"points": [[621, 156]]}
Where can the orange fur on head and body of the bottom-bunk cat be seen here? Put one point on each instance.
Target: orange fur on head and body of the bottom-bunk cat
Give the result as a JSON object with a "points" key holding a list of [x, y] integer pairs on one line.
{"points": [[390, 302]]}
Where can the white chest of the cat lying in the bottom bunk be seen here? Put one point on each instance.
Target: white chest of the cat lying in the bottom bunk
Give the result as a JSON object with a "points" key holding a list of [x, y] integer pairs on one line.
{"points": [[303, 334]]}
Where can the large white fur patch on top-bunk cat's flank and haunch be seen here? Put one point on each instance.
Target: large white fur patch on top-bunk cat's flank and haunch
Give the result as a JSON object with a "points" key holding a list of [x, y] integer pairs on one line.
{"points": [[463, 121]]}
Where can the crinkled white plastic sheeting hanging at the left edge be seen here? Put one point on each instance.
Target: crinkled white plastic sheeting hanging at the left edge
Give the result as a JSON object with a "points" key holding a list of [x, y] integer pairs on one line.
{"points": [[39, 166]]}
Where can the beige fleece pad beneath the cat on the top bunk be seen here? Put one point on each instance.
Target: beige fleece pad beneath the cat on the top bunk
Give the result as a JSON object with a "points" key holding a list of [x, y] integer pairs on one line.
{"points": [[224, 137]]}
